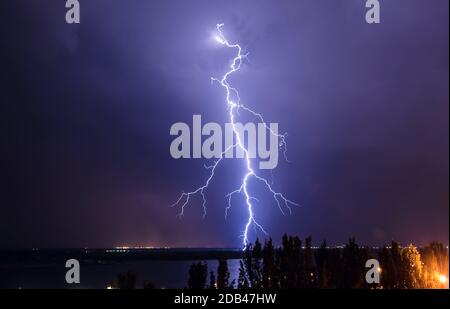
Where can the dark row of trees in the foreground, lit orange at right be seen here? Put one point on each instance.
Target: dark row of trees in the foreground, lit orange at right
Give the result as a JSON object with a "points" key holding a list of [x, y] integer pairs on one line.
{"points": [[297, 265]]}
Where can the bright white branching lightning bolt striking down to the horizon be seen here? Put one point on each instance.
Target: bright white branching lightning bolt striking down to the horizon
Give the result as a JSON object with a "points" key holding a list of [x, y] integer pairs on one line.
{"points": [[234, 106]]}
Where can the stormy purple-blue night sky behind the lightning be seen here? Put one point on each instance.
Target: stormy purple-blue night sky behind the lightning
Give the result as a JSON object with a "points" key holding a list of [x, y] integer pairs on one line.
{"points": [[86, 112]]}
